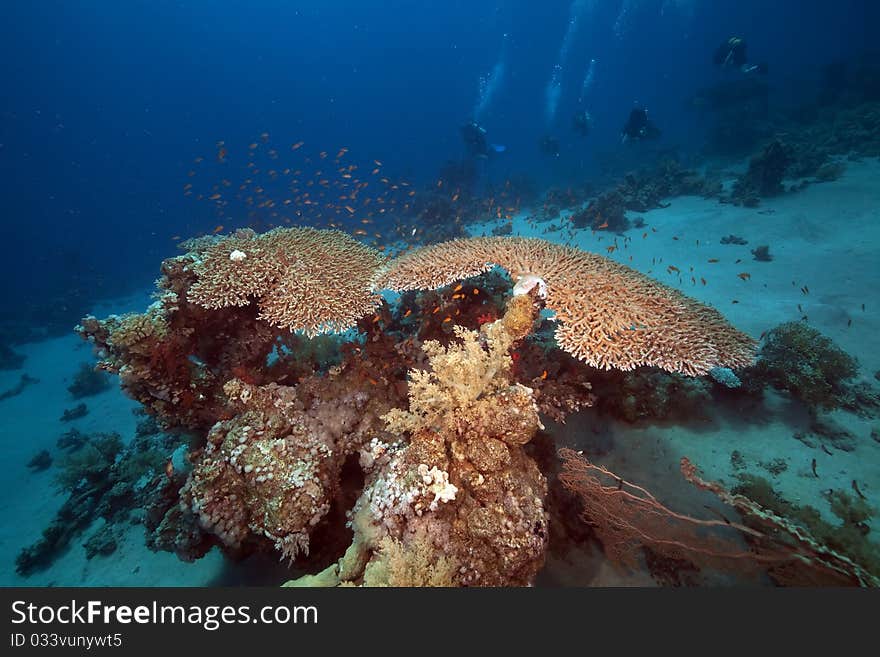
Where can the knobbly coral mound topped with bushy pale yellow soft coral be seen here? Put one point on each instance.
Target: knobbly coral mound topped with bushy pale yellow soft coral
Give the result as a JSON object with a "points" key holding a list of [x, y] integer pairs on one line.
{"points": [[460, 503]]}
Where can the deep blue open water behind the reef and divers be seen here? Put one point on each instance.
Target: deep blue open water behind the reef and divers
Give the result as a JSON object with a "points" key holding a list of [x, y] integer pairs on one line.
{"points": [[110, 109]]}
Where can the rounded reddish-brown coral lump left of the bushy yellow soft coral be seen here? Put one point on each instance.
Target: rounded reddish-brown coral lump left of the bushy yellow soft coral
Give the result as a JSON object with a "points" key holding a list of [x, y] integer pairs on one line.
{"points": [[272, 471]]}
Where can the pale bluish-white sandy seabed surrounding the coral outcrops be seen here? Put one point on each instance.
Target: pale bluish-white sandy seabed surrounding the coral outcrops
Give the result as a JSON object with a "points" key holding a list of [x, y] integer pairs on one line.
{"points": [[825, 237]]}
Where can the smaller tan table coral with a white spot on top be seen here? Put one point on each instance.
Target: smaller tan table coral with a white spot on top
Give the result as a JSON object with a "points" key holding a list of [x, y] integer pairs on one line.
{"points": [[316, 281]]}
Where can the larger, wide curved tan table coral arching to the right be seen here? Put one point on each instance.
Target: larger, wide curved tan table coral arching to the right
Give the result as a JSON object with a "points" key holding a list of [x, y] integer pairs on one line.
{"points": [[610, 316]]}
